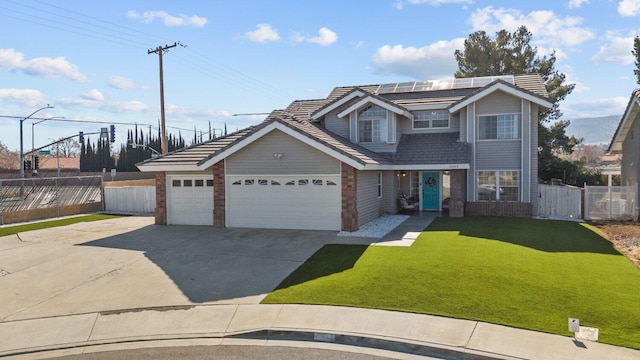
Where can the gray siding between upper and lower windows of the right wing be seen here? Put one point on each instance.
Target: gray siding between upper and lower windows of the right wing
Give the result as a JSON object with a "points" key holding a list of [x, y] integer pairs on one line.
{"points": [[498, 155]]}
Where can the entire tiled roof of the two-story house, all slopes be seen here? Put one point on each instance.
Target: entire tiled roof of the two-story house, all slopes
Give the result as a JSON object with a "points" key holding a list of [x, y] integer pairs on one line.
{"points": [[412, 148]]}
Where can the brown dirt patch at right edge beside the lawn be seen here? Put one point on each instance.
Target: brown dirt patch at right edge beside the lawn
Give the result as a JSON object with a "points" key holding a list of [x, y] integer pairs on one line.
{"points": [[625, 236]]}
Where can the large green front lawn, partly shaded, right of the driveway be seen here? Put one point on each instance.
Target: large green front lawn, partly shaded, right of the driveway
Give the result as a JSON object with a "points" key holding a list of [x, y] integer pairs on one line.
{"points": [[525, 273]]}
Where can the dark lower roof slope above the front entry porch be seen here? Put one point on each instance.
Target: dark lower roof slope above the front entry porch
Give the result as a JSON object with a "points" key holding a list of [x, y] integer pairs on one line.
{"points": [[432, 149]]}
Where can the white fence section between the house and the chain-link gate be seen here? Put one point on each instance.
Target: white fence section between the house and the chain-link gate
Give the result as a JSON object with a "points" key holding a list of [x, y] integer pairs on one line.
{"points": [[560, 202]]}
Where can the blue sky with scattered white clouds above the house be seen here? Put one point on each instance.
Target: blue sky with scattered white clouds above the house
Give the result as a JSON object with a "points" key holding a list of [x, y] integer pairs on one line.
{"points": [[89, 59]]}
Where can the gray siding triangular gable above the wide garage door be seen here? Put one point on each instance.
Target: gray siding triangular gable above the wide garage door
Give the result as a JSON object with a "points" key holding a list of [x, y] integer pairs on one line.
{"points": [[298, 158]]}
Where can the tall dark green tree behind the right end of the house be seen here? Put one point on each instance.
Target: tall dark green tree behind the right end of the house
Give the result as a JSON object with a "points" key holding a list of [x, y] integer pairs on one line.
{"points": [[512, 54]]}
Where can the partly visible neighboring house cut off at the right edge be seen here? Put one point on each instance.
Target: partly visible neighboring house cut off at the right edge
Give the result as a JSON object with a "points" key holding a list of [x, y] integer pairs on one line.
{"points": [[626, 141]]}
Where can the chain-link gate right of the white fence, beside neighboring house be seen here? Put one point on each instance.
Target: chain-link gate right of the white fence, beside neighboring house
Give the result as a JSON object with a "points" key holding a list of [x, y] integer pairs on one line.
{"points": [[610, 202]]}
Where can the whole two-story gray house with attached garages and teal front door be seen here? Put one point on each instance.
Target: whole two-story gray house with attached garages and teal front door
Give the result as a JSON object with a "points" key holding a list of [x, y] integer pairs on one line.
{"points": [[336, 163]]}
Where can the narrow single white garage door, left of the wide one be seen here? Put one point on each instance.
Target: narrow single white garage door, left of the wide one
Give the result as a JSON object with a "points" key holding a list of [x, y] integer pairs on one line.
{"points": [[190, 200]]}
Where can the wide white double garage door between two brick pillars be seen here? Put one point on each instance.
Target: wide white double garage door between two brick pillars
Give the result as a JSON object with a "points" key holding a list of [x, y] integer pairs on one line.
{"points": [[284, 202]]}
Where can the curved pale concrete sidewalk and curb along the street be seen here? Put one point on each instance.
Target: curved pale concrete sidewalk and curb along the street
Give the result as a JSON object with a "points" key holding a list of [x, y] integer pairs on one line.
{"points": [[268, 324]]}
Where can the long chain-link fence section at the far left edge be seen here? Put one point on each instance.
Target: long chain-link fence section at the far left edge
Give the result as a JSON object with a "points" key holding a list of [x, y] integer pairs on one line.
{"points": [[40, 198]]}
